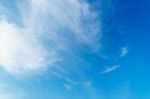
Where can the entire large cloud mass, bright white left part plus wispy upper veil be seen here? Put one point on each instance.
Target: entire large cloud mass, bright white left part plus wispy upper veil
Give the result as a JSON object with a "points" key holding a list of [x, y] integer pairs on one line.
{"points": [[49, 30]]}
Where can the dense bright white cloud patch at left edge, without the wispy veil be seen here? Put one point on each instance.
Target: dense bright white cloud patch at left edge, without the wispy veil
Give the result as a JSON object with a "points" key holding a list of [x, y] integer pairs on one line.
{"points": [[19, 52]]}
